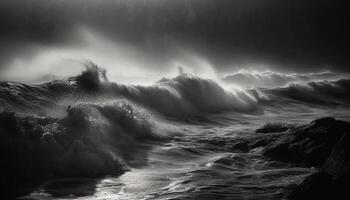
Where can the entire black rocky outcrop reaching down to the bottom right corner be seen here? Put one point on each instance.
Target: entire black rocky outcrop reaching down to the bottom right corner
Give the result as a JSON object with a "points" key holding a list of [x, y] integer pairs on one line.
{"points": [[325, 144]]}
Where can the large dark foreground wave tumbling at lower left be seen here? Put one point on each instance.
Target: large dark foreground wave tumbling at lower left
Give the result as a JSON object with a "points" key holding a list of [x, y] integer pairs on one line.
{"points": [[91, 140]]}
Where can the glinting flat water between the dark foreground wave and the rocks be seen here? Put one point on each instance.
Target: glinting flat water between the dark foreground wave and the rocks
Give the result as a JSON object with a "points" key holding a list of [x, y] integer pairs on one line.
{"points": [[199, 164]]}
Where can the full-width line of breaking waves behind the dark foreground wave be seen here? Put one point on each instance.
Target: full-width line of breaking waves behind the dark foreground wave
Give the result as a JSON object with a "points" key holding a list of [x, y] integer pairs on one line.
{"points": [[182, 96]]}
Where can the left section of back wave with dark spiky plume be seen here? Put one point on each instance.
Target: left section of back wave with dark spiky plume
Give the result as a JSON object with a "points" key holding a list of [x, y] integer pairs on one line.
{"points": [[35, 98]]}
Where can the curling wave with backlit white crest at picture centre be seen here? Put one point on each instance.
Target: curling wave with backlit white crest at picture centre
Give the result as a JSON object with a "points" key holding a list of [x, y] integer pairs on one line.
{"points": [[187, 95]]}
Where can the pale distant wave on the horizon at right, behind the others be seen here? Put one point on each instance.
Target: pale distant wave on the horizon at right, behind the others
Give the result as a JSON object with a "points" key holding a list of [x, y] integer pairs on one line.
{"points": [[274, 79]]}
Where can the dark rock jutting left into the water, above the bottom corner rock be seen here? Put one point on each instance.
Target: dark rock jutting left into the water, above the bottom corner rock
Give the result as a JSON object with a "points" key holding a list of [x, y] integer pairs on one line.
{"points": [[309, 145]]}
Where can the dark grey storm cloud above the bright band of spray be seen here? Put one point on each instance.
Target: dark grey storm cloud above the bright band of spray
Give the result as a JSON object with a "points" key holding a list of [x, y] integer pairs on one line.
{"points": [[305, 35]]}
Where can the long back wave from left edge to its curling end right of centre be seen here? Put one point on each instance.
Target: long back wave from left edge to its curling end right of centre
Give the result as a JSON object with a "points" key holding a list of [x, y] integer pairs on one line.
{"points": [[184, 95]]}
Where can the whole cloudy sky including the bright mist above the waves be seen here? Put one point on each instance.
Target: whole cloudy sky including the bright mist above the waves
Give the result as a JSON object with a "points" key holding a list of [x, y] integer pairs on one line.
{"points": [[150, 36]]}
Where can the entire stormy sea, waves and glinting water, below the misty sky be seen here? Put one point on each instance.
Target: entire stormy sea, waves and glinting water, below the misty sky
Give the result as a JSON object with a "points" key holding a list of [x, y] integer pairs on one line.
{"points": [[182, 138]]}
